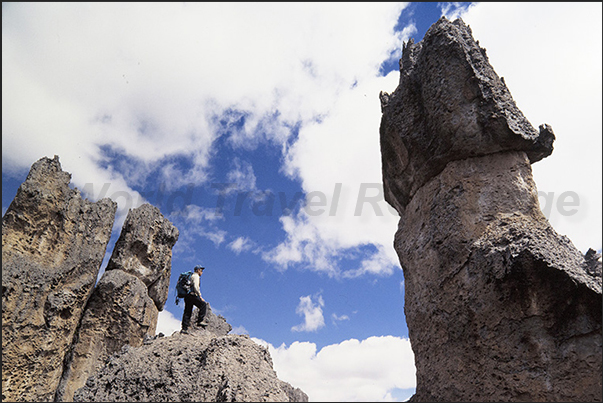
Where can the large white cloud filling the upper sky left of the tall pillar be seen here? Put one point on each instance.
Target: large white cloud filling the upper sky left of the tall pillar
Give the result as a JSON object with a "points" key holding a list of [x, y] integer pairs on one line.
{"points": [[152, 81]]}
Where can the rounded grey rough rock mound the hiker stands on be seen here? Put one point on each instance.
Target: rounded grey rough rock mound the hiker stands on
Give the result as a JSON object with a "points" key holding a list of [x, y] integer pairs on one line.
{"points": [[201, 366]]}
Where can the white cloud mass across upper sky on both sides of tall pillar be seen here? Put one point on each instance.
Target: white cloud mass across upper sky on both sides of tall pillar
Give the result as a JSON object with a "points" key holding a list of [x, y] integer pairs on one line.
{"points": [[158, 84]]}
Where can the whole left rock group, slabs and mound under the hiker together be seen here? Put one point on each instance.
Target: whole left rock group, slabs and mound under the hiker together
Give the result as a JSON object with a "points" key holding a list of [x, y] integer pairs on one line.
{"points": [[60, 332]]}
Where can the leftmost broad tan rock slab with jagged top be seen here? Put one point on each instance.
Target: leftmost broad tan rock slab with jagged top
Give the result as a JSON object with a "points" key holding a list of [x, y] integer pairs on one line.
{"points": [[53, 243]]}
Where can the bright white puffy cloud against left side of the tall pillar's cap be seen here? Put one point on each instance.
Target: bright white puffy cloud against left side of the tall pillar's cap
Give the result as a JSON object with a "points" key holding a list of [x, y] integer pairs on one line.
{"points": [[339, 157]]}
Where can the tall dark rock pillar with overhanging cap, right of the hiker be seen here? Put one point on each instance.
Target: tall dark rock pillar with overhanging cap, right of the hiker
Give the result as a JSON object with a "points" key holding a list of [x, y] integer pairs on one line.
{"points": [[499, 306]]}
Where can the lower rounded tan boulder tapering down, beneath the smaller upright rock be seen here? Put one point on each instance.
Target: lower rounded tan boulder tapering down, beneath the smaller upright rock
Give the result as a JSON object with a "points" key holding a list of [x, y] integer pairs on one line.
{"points": [[119, 313]]}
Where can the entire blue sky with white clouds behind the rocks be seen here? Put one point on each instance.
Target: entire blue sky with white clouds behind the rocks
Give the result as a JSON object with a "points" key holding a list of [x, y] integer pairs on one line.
{"points": [[254, 128]]}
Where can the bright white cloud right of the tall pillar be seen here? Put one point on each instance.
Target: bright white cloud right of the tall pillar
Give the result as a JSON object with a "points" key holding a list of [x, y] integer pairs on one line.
{"points": [[551, 59]]}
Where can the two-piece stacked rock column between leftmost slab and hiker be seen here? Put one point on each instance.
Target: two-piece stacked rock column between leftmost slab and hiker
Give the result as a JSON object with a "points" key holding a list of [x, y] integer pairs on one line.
{"points": [[124, 306]]}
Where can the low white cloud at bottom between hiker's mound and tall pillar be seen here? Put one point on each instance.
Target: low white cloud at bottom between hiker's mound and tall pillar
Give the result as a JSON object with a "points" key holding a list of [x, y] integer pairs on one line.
{"points": [[369, 370]]}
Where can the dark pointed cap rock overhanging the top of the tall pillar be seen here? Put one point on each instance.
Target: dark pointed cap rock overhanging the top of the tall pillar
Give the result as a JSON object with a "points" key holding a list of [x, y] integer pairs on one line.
{"points": [[449, 105]]}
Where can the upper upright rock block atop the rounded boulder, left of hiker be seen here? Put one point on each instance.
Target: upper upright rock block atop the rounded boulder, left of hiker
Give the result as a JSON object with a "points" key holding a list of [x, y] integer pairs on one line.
{"points": [[144, 249]]}
